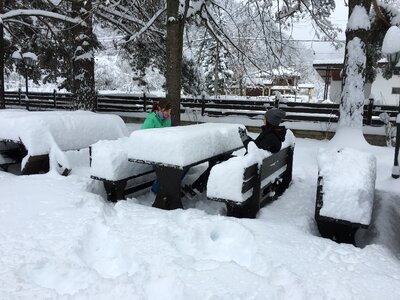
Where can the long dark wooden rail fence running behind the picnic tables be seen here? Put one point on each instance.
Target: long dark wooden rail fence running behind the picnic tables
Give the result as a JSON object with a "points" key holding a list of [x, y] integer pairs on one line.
{"points": [[295, 111]]}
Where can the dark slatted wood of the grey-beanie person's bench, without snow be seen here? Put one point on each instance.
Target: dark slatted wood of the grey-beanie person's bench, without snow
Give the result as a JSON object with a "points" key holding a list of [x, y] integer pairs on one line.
{"points": [[265, 184]]}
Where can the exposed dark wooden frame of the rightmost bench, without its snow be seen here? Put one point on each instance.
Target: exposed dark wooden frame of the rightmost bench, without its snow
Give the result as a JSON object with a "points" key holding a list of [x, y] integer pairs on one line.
{"points": [[341, 231]]}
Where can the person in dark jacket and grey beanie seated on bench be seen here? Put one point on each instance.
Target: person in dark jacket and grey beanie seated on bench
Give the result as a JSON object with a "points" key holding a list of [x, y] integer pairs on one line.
{"points": [[272, 135]]}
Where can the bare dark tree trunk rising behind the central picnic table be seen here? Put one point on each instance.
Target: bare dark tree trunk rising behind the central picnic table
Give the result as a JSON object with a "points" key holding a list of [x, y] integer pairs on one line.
{"points": [[174, 46]]}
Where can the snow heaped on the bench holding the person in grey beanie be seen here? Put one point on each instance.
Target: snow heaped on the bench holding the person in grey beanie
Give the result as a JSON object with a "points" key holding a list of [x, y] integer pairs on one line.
{"points": [[226, 178]]}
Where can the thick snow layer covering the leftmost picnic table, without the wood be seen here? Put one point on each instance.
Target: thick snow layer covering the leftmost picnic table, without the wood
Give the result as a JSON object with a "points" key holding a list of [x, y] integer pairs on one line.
{"points": [[69, 130]]}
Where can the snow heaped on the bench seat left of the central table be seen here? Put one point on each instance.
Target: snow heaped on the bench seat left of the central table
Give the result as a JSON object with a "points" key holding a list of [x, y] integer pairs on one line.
{"points": [[110, 160]]}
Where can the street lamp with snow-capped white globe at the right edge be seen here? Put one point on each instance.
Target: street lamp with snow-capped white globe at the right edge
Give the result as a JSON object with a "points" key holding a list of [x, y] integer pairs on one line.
{"points": [[391, 48]]}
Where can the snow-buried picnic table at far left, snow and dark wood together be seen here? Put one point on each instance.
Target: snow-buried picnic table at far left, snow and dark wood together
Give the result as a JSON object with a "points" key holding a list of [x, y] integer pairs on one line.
{"points": [[30, 137]]}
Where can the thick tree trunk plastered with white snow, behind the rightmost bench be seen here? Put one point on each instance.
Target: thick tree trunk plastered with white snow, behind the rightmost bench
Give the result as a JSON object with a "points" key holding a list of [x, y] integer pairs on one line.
{"points": [[354, 71]]}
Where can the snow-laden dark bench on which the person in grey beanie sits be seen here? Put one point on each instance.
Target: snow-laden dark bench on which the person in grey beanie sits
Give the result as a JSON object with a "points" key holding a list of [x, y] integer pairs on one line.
{"points": [[247, 183]]}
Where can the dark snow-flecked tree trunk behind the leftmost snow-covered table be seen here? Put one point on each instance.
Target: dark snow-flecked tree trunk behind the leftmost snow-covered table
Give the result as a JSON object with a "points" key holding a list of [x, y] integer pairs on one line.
{"points": [[83, 60]]}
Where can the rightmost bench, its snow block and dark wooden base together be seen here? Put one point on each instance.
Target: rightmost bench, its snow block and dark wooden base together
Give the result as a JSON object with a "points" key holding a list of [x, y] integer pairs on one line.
{"points": [[345, 193]]}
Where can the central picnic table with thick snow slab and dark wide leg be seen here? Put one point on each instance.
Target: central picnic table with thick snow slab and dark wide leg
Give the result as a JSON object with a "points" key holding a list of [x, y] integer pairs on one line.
{"points": [[174, 150]]}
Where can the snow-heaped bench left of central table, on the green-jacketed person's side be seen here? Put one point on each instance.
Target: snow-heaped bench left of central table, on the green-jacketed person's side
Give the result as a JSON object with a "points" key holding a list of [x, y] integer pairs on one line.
{"points": [[109, 164]]}
